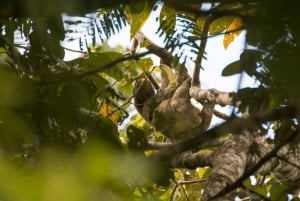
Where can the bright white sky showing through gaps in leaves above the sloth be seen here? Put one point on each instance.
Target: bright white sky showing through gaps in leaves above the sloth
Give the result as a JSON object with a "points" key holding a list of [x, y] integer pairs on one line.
{"points": [[217, 57]]}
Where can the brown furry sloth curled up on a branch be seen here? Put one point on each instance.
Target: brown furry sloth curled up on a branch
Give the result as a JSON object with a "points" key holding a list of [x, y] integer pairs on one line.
{"points": [[169, 109]]}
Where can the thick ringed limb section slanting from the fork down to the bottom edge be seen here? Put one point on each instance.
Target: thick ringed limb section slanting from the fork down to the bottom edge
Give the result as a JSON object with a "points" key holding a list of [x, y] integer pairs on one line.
{"points": [[229, 162]]}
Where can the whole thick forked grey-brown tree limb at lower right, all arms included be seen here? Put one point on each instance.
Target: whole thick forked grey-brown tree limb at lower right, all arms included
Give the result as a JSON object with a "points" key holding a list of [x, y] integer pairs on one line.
{"points": [[236, 156]]}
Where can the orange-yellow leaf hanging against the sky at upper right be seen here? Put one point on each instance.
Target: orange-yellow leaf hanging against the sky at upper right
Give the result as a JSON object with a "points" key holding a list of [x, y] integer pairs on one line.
{"points": [[234, 29]]}
